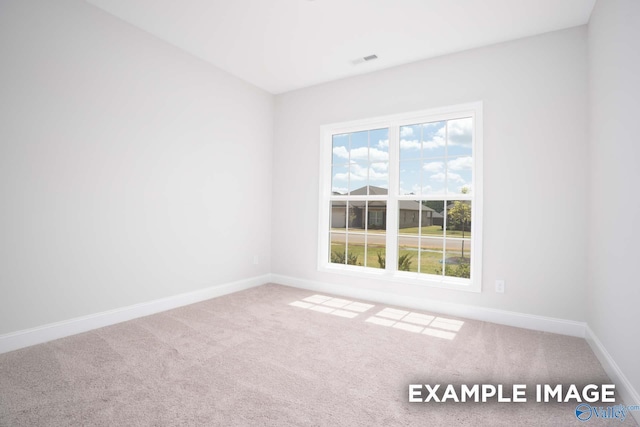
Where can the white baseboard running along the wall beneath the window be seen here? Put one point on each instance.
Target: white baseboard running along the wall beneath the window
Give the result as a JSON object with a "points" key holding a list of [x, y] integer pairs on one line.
{"points": [[520, 320]]}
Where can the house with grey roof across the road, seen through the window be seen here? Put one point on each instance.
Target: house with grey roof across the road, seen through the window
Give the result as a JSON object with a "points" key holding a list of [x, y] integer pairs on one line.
{"points": [[409, 212]]}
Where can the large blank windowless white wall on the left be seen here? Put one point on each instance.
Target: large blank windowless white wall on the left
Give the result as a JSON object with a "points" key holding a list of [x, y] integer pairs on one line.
{"points": [[129, 170]]}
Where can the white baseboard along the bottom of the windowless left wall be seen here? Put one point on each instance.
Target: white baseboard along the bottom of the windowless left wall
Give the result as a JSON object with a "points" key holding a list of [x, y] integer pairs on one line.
{"points": [[52, 331]]}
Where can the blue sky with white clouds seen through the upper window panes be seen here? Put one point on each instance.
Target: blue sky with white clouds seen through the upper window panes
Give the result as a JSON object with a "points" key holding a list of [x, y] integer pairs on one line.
{"points": [[435, 158]]}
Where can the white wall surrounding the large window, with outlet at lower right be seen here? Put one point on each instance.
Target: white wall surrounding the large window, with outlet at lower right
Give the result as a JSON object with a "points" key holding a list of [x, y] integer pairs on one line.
{"points": [[535, 154]]}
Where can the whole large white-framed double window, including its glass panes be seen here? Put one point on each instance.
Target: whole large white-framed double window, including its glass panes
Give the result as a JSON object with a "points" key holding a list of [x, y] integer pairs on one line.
{"points": [[401, 197]]}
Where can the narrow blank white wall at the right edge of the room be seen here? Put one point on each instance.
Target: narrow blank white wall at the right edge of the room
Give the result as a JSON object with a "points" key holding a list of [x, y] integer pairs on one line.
{"points": [[614, 176]]}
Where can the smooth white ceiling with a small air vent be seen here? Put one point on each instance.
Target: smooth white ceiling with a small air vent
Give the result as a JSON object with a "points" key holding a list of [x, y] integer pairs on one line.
{"points": [[282, 45]]}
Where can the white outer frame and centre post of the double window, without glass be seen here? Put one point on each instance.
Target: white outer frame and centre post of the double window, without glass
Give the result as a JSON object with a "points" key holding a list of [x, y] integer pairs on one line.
{"points": [[393, 122]]}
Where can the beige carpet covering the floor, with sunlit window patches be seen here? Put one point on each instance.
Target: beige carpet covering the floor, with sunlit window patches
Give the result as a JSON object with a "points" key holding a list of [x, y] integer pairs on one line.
{"points": [[279, 356]]}
